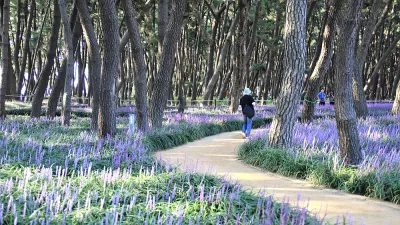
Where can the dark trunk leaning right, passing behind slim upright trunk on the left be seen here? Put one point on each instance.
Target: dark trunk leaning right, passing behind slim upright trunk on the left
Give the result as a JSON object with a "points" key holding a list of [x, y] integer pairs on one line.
{"points": [[60, 81]]}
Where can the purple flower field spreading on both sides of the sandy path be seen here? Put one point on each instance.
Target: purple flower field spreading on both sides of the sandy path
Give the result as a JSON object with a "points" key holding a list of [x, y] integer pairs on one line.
{"points": [[55, 175]]}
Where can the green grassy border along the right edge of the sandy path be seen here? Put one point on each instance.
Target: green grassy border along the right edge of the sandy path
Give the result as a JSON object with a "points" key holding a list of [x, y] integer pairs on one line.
{"points": [[380, 185]]}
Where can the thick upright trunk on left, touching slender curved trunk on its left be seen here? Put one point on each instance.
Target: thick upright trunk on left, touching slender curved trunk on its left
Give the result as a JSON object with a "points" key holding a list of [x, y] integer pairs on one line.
{"points": [[109, 73]]}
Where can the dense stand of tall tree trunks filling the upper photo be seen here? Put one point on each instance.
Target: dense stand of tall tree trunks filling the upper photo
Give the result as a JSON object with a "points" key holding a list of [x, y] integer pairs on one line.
{"points": [[110, 52]]}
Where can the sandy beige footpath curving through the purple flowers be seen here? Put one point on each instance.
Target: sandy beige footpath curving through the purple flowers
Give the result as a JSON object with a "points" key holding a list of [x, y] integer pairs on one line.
{"points": [[217, 155]]}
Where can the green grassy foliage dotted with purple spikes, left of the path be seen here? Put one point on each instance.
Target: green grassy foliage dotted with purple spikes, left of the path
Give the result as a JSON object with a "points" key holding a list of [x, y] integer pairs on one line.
{"points": [[135, 193]]}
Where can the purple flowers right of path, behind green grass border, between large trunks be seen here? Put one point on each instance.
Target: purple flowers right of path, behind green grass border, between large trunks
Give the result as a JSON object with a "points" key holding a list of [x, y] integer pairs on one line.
{"points": [[379, 139]]}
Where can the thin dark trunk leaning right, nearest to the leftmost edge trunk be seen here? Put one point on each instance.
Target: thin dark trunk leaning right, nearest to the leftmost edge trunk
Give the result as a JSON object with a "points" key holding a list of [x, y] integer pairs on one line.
{"points": [[26, 46]]}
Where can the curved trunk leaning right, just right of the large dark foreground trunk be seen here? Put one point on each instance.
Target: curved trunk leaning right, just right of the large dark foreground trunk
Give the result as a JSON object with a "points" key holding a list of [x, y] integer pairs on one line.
{"points": [[360, 102]]}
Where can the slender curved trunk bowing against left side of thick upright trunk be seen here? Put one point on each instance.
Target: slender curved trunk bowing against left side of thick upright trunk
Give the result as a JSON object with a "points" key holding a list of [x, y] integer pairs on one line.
{"points": [[94, 59]]}
